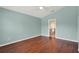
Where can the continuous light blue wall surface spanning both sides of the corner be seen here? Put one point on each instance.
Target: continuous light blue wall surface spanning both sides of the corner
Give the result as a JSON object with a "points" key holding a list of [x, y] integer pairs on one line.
{"points": [[15, 26]]}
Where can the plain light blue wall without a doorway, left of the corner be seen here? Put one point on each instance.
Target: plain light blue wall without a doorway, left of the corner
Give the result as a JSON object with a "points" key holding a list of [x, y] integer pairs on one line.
{"points": [[15, 26]]}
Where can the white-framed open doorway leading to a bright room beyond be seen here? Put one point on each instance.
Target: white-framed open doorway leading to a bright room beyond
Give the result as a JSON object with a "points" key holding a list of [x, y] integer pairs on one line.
{"points": [[52, 28]]}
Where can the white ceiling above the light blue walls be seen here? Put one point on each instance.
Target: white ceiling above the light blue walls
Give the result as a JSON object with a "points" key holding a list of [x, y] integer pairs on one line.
{"points": [[35, 10]]}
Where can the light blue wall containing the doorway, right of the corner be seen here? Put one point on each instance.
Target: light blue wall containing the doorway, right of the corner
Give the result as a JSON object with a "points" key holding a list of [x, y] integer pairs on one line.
{"points": [[66, 23]]}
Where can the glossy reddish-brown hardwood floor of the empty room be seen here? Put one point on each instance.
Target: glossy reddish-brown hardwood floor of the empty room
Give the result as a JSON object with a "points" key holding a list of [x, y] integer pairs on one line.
{"points": [[41, 44]]}
